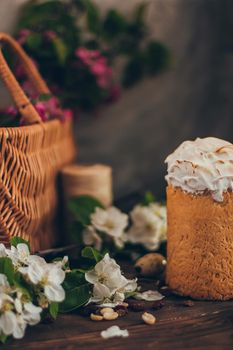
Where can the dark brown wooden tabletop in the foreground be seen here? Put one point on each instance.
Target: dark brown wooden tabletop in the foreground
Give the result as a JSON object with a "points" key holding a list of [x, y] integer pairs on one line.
{"points": [[205, 325]]}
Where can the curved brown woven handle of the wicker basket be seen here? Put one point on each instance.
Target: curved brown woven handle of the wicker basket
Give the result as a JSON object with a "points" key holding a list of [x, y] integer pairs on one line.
{"points": [[22, 102]]}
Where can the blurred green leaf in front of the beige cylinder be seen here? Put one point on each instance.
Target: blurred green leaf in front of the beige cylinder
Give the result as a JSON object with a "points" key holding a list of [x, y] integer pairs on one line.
{"points": [[82, 207]]}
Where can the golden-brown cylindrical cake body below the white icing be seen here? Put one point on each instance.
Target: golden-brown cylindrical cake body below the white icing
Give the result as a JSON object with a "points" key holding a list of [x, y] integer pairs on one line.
{"points": [[200, 245]]}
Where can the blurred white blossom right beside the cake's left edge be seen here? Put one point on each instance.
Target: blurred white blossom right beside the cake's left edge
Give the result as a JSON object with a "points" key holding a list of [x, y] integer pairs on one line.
{"points": [[148, 226]]}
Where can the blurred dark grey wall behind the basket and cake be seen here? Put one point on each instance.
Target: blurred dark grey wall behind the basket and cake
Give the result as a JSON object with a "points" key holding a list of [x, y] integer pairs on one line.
{"points": [[191, 99]]}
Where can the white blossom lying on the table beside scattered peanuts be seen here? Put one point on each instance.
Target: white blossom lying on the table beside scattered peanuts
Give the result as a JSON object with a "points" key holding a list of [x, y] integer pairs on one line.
{"points": [[109, 285]]}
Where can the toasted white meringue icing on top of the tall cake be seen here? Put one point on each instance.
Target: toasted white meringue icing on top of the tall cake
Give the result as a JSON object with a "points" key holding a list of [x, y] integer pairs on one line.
{"points": [[202, 164]]}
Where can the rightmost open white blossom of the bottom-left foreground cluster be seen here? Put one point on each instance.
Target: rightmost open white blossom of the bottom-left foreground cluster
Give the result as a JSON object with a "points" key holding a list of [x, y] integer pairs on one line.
{"points": [[48, 276]]}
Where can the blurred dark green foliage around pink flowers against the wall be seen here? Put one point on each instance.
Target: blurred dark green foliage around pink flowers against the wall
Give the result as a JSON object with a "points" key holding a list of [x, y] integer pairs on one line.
{"points": [[57, 28]]}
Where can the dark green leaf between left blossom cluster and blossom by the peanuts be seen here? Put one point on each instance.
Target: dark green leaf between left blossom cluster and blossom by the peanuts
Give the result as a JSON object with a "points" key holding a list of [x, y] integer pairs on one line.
{"points": [[75, 298]]}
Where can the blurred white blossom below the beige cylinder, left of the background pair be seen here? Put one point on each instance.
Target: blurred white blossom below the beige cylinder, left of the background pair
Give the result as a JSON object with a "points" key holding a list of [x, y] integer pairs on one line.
{"points": [[112, 222]]}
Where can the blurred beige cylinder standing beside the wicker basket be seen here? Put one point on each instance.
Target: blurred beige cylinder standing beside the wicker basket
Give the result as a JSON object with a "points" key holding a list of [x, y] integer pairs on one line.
{"points": [[93, 180]]}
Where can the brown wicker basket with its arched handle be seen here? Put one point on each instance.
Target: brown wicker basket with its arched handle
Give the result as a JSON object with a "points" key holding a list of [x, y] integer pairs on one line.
{"points": [[30, 159]]}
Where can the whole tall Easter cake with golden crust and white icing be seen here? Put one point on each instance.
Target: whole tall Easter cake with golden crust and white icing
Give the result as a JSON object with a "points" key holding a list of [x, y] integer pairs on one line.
{"points": [[200, 219]]}
